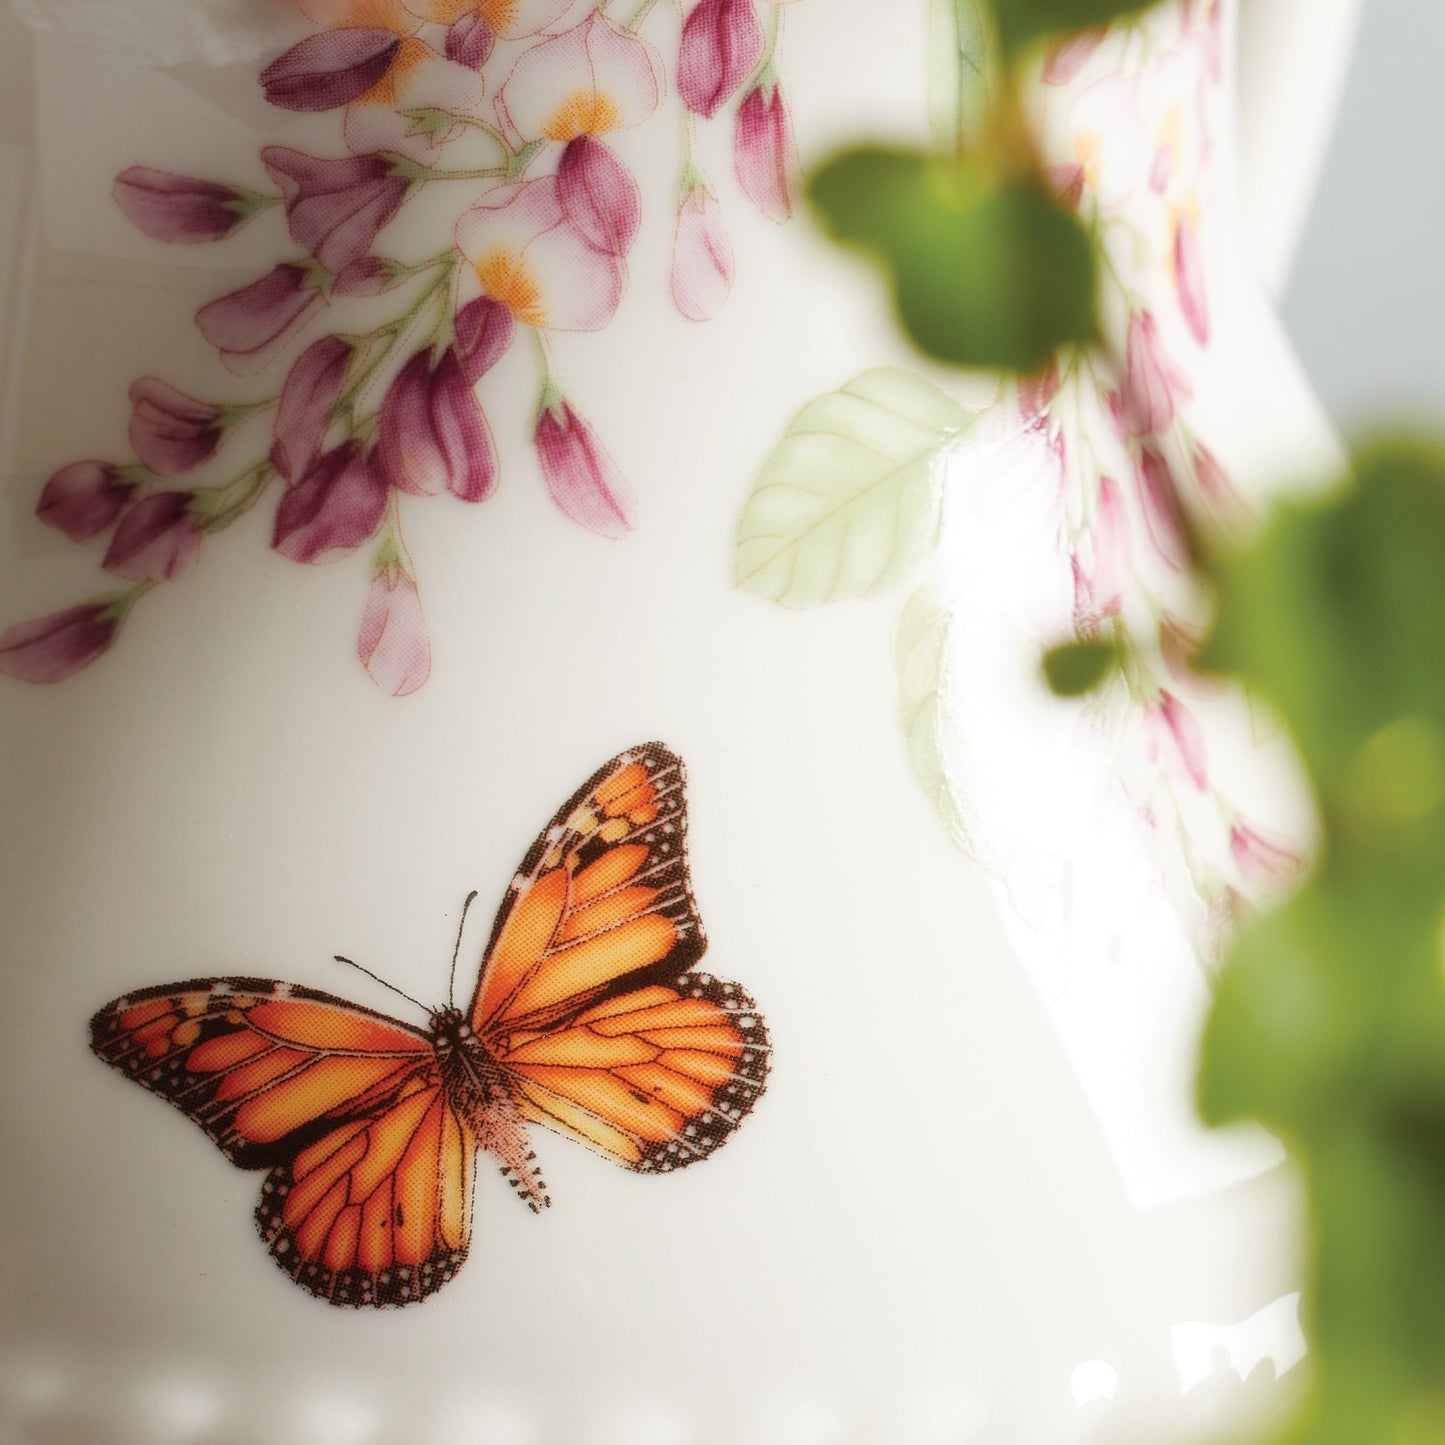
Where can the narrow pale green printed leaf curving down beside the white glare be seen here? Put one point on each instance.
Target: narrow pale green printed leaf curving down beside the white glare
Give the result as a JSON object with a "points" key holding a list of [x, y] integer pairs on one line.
{"points": [[921, 657]]}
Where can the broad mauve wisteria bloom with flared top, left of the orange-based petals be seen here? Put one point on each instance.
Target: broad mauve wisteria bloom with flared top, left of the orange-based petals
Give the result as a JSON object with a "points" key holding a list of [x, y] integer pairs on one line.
{"points": [[336, 209]]}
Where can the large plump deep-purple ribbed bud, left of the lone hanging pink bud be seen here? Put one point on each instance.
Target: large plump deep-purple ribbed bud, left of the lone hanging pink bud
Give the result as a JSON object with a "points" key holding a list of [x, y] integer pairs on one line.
{"points": [[433, 436]]}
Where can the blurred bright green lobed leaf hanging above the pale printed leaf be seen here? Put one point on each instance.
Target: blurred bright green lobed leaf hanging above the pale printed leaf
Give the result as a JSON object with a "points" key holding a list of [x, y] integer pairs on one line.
{"points": [[986, 272]]}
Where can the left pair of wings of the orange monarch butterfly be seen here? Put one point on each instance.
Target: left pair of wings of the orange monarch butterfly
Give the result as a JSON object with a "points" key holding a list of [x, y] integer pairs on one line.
{"points": [[369, 1189]]}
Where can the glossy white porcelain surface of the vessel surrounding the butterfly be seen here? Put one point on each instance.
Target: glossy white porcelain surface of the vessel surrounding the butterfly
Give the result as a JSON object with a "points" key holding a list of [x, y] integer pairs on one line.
{"points": [[973, 1204]]}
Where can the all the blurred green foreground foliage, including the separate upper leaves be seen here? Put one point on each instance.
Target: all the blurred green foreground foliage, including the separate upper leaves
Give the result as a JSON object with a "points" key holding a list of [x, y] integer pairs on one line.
{"points": [[1330, 1018]]}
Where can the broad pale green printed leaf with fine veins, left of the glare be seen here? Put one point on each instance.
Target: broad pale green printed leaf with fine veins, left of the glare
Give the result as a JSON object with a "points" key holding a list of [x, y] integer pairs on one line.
{"points": [[849, 502]]}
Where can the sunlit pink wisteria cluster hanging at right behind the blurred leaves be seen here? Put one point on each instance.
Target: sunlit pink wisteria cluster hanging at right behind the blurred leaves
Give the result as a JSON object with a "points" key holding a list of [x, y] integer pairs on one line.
{"points": [[1138, 483]]}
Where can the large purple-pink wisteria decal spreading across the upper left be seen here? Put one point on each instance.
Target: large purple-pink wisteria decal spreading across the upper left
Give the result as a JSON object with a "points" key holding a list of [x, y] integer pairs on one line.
{"points": [[505, 116]]}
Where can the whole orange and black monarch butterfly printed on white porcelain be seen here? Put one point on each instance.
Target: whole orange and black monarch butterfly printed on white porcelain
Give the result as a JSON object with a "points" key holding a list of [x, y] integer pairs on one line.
{"points": [[587, 1019]]}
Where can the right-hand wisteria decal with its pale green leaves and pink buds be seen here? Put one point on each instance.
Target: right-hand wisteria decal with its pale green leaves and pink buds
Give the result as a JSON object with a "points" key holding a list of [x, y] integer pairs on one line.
{"points": [[1093, 472]]}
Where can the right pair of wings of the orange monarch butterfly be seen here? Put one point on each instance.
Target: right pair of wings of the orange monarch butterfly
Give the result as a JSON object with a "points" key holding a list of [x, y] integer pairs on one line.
{"points": [[587, 999]]}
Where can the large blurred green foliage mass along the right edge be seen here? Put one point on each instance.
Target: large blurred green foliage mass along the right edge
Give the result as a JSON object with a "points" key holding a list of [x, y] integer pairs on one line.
{"points": [[1330, 1018]]}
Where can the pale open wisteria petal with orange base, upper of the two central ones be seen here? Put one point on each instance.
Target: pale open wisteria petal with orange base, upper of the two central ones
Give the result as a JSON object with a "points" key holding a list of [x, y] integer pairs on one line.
{"points": [[592, 80]]}
